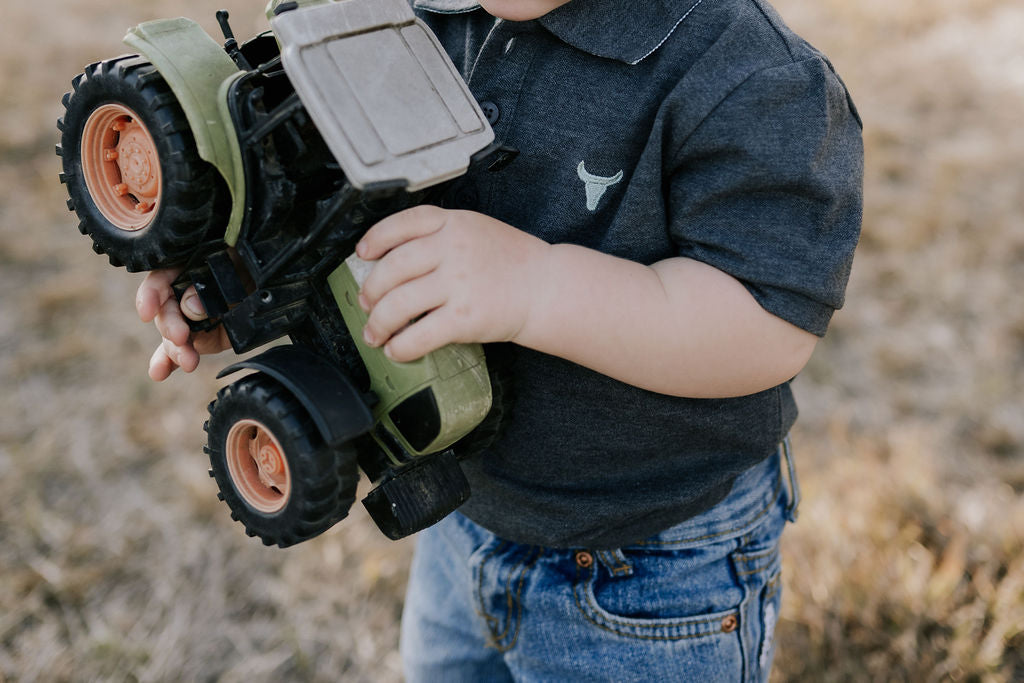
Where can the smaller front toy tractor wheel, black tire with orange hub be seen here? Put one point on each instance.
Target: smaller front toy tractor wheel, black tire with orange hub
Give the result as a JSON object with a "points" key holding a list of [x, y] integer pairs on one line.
{"points": [[274, 471]]}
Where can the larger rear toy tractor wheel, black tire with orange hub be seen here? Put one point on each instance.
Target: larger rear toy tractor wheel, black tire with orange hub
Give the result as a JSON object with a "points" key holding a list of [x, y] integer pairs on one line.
{"points": [[133, 169]]}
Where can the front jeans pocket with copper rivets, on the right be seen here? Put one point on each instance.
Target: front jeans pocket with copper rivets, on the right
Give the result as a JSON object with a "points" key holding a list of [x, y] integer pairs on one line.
{"points": [[669, 595]]}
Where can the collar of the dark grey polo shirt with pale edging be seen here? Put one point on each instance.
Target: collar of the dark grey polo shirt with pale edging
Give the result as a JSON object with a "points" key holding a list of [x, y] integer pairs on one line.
{"points": [[625, 31]]}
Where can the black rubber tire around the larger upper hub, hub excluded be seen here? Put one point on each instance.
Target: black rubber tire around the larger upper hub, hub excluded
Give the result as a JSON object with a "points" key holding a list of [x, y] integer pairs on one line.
{"points": [[195, 201]]}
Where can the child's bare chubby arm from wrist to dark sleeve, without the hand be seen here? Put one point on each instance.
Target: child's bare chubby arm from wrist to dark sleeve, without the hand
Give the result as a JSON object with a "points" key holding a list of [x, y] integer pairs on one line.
{"points": [[679, 327]]}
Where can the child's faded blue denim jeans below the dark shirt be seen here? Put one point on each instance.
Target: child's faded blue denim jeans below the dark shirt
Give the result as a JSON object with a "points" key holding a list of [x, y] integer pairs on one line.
{"points": [[698, 602]]}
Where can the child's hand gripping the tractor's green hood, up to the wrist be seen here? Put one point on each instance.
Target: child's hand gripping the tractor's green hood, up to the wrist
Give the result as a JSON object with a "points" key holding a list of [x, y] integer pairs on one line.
{"points": [[462, 277]]}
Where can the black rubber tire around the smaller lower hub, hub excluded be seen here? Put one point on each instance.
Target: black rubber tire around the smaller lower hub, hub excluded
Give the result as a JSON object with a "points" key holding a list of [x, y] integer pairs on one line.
{"points": [[323, 481]]}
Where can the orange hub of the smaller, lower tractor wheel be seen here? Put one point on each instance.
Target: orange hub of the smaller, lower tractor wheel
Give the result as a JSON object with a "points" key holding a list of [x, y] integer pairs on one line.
{"points": [[259, 467]]}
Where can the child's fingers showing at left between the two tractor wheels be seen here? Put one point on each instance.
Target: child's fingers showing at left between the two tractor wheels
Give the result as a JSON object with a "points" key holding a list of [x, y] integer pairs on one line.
{"points": [[181, 349]]}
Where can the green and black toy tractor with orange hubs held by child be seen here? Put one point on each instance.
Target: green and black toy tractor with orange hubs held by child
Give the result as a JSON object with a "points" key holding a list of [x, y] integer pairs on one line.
{"points": [[254, 168]]}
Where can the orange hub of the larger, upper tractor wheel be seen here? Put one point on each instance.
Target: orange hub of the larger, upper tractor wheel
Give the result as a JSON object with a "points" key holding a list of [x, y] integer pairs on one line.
{"points": [[121, 167]]}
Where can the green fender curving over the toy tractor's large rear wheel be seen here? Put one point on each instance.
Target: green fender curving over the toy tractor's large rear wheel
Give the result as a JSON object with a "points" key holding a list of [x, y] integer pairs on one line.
{"points": [[199, 72]]}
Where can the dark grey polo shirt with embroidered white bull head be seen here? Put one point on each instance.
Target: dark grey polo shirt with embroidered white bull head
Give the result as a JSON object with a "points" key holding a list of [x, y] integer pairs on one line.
{"points": [[649, 131]]}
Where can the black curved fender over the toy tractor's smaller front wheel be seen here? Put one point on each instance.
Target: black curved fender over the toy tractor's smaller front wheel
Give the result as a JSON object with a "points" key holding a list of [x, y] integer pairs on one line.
{"points": [[337, 408]]}
